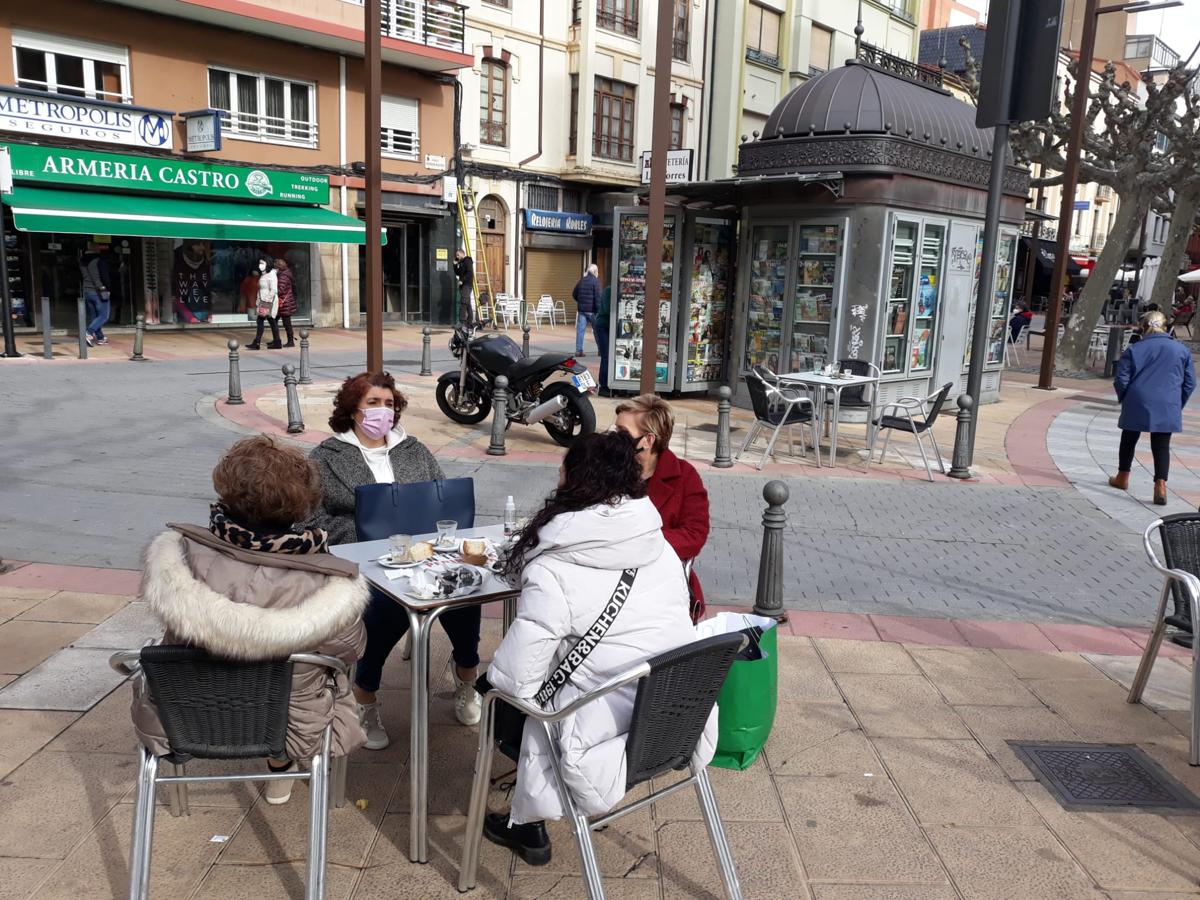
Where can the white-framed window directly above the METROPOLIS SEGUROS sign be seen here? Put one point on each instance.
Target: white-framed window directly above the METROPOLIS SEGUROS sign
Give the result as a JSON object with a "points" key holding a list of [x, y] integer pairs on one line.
{"points": [[67, 65]]}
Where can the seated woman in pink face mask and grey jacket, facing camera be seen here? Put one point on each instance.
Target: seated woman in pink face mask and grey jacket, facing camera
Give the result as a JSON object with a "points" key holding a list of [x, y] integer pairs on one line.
{"points": [[370, 446]]}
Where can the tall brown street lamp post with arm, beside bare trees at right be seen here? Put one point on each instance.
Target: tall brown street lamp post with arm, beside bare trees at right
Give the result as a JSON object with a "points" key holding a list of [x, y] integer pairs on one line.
{"points": [[1071, 173]]}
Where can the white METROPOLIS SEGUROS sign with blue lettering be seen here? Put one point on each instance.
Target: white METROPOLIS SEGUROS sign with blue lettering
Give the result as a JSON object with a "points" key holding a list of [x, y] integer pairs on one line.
{"points": [[53, 116]]}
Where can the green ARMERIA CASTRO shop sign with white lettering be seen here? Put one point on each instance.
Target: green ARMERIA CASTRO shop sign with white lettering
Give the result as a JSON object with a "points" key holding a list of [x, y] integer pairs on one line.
{"points": [[164, 175]]}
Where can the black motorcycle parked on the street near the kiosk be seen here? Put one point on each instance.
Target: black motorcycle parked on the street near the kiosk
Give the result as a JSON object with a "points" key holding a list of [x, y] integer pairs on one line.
{"points": [[563, 407]]}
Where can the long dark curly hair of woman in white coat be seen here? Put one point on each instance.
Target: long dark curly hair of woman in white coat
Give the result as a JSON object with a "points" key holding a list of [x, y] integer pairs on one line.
{"points": [[601, 469]]}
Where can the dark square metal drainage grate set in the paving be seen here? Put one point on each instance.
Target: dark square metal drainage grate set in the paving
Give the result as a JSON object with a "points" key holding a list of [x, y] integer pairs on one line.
{"points": [[1105, 777]]}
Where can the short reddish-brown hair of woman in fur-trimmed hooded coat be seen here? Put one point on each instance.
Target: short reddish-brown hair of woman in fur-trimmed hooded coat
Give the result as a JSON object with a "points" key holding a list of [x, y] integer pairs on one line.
{"points": [[262, 482]]}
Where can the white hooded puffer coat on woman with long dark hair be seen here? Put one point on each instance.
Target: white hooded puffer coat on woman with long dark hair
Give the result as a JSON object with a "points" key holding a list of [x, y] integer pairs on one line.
{"points": [[568, 580]]}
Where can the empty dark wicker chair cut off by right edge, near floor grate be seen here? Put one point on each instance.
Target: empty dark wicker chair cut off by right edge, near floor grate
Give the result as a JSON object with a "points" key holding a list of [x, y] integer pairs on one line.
{"points": [[1180, 537]]}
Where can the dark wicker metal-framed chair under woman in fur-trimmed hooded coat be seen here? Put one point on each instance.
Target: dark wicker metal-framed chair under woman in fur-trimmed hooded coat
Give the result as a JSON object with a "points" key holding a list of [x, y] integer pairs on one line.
{"points": [[219, 710]]}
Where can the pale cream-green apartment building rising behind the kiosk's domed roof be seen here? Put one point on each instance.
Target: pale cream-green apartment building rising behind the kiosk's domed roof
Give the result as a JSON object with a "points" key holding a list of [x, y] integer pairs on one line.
{"points": [[765, 49]]}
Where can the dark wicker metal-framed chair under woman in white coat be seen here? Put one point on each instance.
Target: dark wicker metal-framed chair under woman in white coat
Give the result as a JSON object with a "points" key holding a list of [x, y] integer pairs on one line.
{"points": [[676, 692]]}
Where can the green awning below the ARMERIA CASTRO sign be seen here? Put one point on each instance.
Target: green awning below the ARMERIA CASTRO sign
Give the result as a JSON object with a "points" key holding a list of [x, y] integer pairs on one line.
{"points": [[38, 209]]}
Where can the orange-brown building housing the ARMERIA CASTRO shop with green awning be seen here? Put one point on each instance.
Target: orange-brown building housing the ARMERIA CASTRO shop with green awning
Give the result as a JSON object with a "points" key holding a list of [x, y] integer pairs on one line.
{"points": [[286, 88]]}
